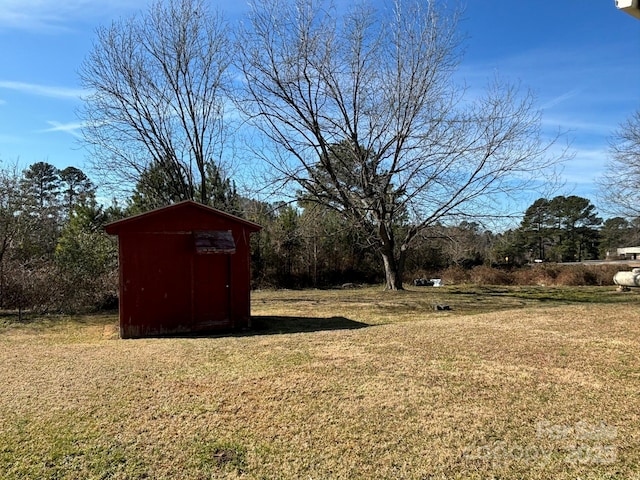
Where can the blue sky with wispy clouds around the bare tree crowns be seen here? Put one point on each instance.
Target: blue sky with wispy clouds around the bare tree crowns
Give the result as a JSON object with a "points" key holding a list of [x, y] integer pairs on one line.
{"points": [[581, 58]]}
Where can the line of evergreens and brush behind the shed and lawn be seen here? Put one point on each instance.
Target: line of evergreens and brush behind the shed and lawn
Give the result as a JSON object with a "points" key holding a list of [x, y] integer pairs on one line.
{"points": [[55, 255]]}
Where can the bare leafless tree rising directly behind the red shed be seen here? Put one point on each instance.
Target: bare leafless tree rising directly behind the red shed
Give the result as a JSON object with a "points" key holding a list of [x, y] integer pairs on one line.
{"points": [[157, 86]]}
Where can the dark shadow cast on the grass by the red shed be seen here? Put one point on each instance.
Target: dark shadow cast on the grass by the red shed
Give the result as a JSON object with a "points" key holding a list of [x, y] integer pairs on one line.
{"points": [[271, 325]]}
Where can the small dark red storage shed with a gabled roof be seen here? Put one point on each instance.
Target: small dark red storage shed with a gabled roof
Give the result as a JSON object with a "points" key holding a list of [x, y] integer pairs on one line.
{"points": [[184, 268]]}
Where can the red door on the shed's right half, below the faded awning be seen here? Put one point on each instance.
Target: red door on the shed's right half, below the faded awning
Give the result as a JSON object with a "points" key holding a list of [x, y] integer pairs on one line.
{"points": [[212, 291]]}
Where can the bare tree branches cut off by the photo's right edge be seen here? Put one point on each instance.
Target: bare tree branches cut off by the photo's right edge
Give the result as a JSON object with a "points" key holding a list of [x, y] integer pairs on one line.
{"points": [[620, 184]]}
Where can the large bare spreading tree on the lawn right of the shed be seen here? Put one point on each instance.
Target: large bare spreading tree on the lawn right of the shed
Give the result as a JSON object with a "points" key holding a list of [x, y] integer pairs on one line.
{"points": [[367, 120]]}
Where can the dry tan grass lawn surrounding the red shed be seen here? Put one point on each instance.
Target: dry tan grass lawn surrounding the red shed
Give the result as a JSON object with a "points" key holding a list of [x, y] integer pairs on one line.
{"points": [[535, 383]]}
